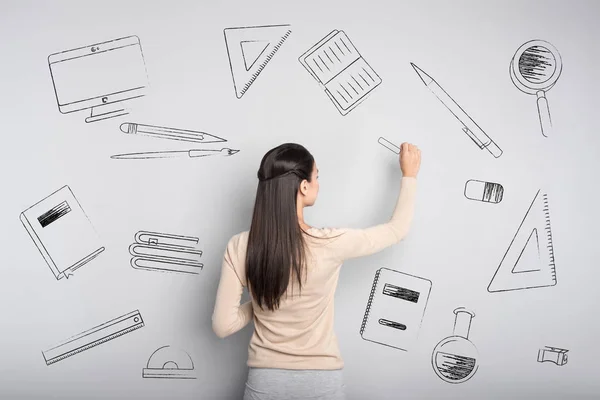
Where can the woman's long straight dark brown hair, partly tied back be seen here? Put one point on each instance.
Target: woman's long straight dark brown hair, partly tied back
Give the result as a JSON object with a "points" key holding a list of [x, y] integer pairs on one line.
{"points": [[276, 246]]}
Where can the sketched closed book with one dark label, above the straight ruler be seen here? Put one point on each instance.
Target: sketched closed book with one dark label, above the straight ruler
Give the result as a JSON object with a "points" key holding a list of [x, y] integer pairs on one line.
{"points": [[62, 232]]}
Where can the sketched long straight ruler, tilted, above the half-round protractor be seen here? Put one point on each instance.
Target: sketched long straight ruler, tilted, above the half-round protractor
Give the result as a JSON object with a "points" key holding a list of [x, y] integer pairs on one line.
{"points": [[95, 336]]}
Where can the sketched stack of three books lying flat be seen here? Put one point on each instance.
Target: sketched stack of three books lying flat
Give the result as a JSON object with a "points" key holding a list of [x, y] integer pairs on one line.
{"points": [[164, 252]]}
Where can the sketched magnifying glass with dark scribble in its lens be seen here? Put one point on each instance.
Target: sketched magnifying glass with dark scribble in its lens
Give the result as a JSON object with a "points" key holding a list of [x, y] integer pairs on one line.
{"points": [[534, 69]]}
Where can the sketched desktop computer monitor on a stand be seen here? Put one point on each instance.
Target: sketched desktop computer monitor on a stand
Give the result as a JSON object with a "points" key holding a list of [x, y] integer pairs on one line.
{"points": [[99, 77]]}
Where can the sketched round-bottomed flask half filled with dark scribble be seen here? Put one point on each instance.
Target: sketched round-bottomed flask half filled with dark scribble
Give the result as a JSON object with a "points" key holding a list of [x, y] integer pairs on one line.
{"points": [[455, 358]]}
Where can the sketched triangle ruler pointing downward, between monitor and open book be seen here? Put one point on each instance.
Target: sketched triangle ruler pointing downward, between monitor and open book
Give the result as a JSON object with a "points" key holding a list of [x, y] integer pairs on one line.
{"points": [[250, 49]]}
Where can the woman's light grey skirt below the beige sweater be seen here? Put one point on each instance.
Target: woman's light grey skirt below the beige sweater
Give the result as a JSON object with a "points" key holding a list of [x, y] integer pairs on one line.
{"points": [[290, 384]]}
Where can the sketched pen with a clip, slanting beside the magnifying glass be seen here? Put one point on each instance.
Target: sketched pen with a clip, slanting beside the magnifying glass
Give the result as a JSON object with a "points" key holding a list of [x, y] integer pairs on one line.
{"points": [[473, 130]]}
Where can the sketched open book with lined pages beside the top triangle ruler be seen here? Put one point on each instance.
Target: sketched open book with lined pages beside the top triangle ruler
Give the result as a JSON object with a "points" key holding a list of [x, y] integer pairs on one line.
{"points": [[341, 71]]}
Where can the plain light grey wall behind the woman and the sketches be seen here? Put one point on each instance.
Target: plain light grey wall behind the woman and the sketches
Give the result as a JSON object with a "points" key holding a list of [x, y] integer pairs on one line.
{"points": [[456, 243]]}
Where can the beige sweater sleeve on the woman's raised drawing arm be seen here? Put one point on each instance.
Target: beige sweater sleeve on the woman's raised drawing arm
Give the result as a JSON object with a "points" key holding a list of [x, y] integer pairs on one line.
{"points": [[351, 243]]}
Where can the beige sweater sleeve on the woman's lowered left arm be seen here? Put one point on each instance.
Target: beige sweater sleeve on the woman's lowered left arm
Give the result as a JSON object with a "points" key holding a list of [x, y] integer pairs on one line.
{"points": [[229, 316]]}
